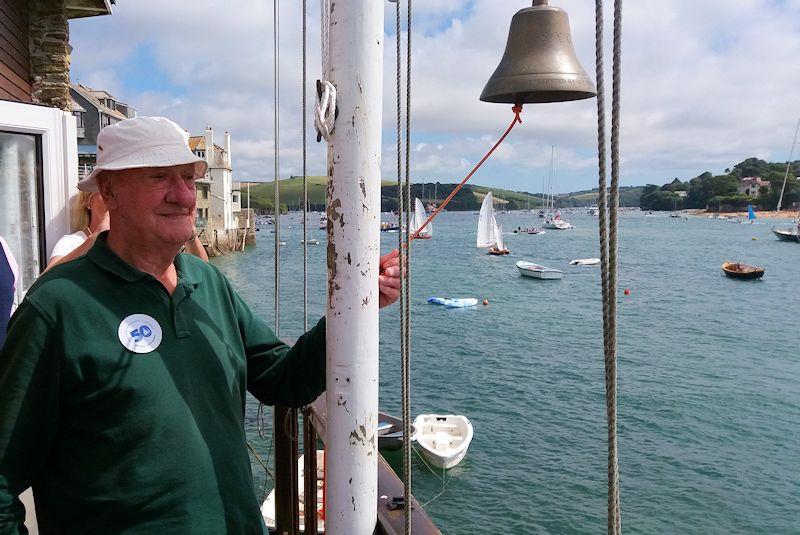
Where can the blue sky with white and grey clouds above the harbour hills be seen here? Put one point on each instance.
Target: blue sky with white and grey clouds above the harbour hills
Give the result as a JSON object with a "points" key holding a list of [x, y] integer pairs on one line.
{"points": [[705, 85]]}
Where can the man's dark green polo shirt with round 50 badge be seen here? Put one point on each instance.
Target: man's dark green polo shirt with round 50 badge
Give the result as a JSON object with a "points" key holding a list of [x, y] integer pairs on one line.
{"points": [[149, 440]]}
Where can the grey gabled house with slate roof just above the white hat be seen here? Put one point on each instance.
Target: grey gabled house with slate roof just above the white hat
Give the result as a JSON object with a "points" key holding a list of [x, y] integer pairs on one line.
{"points": [[93, 111]]}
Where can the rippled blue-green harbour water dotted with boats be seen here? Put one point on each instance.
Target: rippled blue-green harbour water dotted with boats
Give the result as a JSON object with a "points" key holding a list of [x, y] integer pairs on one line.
{"points": [[709, 402]]}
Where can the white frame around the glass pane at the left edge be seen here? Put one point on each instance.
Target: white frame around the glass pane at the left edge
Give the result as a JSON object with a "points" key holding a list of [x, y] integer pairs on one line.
{"points": [[59, 135]]}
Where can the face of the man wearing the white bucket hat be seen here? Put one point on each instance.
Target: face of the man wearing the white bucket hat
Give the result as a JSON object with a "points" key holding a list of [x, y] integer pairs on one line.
{"points": [[152, 204]]}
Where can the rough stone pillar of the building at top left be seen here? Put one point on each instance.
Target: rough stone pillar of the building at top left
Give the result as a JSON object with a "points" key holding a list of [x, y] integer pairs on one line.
{"points": [[50, 53]]}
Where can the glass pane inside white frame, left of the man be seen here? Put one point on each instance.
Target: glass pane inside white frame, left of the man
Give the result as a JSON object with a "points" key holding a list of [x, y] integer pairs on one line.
{"points": [[21, 208]]}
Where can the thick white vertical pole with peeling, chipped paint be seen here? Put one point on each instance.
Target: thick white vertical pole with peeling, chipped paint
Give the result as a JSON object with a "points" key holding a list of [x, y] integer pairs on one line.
{"points": [[356, 69]]}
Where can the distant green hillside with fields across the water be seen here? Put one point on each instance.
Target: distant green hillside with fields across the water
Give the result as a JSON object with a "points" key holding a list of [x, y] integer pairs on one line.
{"points": [[469, 198]]}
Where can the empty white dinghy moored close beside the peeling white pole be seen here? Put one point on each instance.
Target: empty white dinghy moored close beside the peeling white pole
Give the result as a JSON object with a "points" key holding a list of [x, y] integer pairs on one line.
{"points": [[443, 438]]}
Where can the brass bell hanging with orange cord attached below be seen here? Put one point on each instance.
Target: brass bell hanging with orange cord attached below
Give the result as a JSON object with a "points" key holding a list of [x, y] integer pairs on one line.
{"points": [[539, 63]]}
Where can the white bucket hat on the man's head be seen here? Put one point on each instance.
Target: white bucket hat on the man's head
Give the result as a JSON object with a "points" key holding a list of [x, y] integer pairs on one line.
{"points": [[142, 142]]}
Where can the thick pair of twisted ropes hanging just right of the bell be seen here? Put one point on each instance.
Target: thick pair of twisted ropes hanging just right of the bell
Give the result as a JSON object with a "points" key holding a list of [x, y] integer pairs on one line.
{"points": [[607, 223]]}
